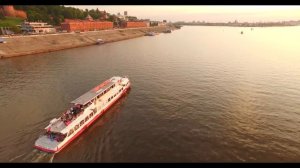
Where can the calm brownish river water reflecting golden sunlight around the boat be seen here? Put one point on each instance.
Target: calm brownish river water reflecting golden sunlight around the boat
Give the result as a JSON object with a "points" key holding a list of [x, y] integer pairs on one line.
{"points": [[199, 94]]}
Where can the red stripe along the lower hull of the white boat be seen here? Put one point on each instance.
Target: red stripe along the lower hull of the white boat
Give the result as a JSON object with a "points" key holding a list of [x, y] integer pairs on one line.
{"points": [[83, 128]]}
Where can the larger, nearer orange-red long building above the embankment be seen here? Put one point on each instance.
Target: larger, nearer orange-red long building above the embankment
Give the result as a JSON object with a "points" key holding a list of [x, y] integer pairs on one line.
{"points": [[85, 25]]}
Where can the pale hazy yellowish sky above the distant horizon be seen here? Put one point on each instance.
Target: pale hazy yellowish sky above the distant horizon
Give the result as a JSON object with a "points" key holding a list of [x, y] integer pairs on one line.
{"points": [[203, 12]]}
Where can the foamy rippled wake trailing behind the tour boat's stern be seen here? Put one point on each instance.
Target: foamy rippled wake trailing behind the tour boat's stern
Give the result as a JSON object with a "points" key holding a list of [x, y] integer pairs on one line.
{"points": [[34, 156]]}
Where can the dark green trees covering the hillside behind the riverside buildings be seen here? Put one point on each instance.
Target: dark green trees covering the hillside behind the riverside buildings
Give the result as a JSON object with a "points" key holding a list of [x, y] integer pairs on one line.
{"points": [[55, 14]]}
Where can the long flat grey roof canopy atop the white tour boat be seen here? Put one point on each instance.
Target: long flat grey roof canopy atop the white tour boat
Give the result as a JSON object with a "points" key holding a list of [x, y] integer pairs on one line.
{"points": [[88, 96]]}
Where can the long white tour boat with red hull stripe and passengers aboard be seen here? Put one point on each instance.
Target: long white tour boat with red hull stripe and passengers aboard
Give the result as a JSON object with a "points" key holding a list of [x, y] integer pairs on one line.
{"points": [[82, 113]]}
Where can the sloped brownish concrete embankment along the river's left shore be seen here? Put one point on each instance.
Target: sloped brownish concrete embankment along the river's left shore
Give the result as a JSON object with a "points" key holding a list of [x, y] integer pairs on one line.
{"points": [[25, 45]]}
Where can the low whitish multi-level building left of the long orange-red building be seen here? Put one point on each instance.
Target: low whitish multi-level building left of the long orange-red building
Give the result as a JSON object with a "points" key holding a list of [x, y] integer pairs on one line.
{"points": [[37, 27]]}
